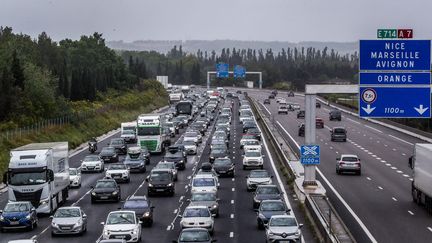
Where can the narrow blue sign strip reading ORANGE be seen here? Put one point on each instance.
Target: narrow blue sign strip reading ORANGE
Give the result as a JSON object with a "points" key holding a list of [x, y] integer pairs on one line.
{"points": [[393, 79]]}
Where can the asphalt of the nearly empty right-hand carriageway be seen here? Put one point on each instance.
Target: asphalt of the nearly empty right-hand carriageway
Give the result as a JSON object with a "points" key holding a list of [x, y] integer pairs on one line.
{"points": [[381, 196]]}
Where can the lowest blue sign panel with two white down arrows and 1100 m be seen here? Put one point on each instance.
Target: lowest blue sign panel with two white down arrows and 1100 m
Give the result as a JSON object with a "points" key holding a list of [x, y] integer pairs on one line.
{"points": [[391, 102]]}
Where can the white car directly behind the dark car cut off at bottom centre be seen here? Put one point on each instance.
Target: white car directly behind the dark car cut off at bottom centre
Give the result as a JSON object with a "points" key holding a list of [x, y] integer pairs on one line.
{"points": [[197, 217]]}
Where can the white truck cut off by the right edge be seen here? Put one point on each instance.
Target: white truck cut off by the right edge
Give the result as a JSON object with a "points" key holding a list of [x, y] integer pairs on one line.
{"points": [[421, 187]]}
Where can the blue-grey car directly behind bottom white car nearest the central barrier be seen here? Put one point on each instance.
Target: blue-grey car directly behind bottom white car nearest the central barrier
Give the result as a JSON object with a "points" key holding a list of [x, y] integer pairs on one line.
{"points": [[269, 208]]}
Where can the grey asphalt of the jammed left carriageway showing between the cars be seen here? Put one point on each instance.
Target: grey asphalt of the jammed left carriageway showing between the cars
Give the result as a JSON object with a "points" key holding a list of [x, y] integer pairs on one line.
{"points": [[236, 223]]}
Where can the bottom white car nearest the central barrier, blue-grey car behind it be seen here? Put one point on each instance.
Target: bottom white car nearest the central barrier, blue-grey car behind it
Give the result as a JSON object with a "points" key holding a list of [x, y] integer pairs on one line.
{"points": [[282, 228]]}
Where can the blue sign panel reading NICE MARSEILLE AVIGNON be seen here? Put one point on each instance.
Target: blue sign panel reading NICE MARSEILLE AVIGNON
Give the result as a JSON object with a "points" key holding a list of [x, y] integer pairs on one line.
{"points": [[395, 55]]}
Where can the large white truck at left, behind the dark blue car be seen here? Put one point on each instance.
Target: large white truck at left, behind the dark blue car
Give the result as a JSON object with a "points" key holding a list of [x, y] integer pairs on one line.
{"points": [[39, 173]]}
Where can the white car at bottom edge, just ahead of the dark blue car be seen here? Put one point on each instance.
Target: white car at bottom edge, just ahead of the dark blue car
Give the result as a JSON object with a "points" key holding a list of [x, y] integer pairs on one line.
{"points": [[122, 225]]}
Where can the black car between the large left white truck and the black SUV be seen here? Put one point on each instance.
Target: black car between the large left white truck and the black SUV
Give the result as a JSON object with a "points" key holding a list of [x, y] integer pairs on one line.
{"points": [[106, 190]]}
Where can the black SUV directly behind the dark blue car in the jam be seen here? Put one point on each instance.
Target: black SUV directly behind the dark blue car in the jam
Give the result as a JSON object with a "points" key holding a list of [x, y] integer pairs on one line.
{"points": [[160, 181]]}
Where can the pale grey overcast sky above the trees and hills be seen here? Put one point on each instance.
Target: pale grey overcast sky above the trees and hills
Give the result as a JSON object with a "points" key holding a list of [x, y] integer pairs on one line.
{"points": [[267, 20]]}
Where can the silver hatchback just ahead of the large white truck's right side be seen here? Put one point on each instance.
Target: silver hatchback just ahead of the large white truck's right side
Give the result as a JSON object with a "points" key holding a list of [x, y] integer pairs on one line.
{"points": [[68, 221]]}
